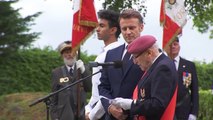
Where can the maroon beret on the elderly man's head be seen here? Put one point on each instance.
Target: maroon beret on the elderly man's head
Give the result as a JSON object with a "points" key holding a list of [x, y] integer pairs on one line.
{"points": [[141, 44]]}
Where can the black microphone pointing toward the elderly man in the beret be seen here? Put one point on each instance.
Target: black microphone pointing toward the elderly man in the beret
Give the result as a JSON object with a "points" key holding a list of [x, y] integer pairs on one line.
{"points": [[116, 64]]}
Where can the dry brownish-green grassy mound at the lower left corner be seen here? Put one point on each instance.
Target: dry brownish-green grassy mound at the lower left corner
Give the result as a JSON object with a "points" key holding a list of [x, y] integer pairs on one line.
{"points": [[16, 107]]}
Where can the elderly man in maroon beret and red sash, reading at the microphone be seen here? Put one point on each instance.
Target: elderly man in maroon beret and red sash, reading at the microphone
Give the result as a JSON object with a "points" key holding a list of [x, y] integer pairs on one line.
{"points": [[156, 91]]}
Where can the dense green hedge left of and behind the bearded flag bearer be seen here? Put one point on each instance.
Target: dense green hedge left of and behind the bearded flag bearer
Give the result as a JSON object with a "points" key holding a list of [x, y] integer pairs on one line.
{"points": [[30, 70]]}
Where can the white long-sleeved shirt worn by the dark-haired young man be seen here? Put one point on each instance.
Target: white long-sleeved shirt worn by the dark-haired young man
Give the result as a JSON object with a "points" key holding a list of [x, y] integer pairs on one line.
{"points": [[98, 109]]}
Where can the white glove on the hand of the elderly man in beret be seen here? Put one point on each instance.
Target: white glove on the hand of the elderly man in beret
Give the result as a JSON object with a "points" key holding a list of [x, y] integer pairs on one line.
{"points": [[123, 103]]}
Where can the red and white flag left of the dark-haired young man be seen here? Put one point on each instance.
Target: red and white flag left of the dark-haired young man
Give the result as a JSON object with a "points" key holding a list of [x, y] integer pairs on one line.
{"points": [[84, 22]]}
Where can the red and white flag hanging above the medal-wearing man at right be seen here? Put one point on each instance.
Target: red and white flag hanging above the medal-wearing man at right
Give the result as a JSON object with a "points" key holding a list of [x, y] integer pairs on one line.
{"points": [[172, 18]]}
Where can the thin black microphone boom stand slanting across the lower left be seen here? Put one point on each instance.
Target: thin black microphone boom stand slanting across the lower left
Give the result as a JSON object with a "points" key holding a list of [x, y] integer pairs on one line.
{"points": [[46, 99]]}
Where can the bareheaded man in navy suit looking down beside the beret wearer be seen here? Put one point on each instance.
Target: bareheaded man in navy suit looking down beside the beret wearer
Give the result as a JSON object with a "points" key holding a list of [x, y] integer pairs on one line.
{"points": [[120, 82]]}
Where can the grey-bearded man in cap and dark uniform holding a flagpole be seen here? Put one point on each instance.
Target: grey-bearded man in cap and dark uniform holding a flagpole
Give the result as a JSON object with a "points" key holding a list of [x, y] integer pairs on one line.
{"points": [[69, 104]]}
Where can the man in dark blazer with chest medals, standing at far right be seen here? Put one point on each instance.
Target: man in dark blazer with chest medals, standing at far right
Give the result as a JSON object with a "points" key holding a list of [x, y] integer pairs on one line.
{"points": [[187, 99]]}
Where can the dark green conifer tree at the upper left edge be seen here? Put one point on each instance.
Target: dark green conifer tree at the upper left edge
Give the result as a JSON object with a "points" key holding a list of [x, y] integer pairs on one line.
{"points": [[14, 29]]}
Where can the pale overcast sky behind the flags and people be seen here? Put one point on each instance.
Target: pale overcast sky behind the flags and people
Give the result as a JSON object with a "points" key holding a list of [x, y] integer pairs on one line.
{"points": [[56, 23]]}
